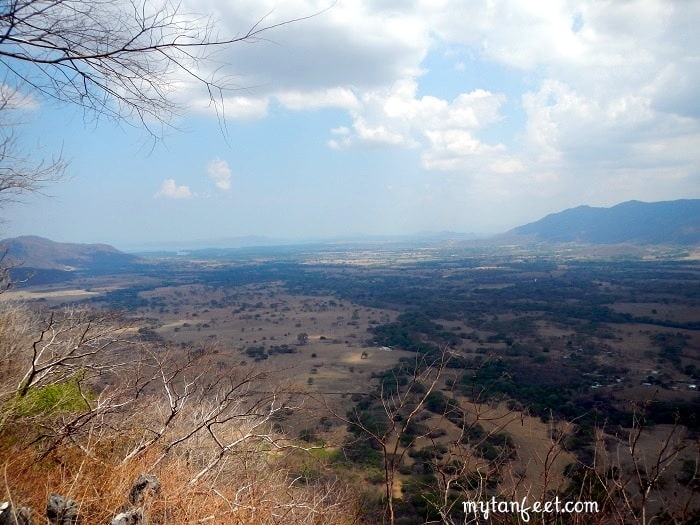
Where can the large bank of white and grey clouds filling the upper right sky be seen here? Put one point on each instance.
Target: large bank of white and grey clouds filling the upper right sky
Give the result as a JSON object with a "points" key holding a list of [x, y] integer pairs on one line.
{"points": [[605, 86]]}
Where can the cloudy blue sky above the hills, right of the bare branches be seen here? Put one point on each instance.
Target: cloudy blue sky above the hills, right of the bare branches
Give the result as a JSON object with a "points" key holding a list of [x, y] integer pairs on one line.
{"points": [[389, 117]]}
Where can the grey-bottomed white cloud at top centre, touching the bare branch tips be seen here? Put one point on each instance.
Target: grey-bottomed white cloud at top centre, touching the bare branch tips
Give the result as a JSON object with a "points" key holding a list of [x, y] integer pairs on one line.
{"points": [[322, 61]]}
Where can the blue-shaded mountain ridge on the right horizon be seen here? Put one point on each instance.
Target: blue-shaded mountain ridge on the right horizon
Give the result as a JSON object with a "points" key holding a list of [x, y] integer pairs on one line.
{"points": [[669, 222]]}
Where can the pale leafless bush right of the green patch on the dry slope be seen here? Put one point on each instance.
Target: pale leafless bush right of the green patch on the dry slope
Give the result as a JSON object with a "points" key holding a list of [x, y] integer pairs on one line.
{"points": [[218, 411]]}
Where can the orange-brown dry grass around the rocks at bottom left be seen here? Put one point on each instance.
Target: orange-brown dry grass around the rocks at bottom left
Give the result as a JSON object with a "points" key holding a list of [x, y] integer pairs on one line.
{"points": [[247, 490]]}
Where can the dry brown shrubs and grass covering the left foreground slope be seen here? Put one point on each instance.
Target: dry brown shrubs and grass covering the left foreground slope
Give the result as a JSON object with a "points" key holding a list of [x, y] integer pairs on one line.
{"points": [[207, 439]]}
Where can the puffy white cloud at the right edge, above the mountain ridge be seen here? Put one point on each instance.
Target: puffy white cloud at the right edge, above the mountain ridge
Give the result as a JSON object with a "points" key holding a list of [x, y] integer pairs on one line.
{"points": [[580, 132]]}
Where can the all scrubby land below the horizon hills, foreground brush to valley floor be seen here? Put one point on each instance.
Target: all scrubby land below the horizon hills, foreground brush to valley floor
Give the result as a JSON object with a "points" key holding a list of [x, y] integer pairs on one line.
{"points": [[386, 393]]}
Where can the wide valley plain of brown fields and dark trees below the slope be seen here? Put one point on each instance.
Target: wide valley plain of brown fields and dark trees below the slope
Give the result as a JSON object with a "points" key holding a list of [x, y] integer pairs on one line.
{"points": [[557, 350]]}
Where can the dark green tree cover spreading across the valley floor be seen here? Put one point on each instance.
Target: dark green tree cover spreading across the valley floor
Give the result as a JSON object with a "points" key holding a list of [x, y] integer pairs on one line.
{"points": [[544, 336]]}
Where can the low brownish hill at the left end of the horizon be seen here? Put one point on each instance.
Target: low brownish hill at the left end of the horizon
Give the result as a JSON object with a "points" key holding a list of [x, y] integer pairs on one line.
{"points": [[39, 253]]}
